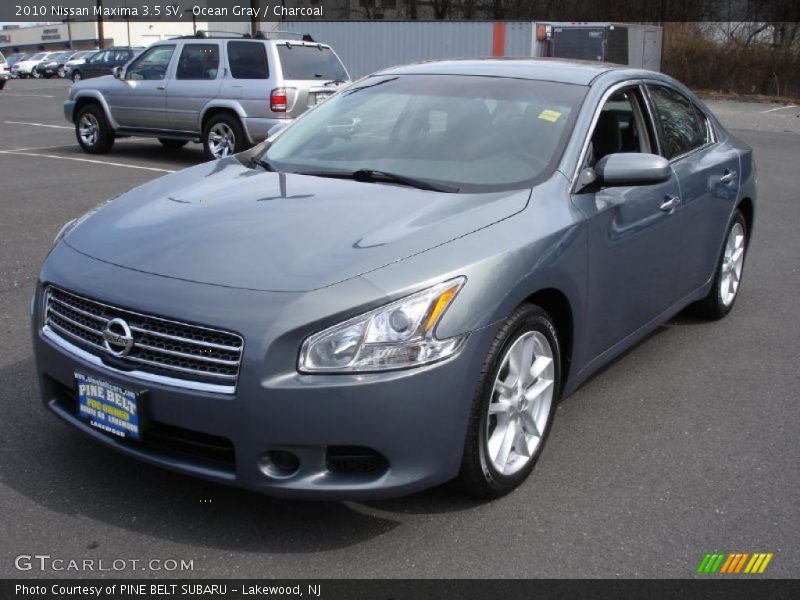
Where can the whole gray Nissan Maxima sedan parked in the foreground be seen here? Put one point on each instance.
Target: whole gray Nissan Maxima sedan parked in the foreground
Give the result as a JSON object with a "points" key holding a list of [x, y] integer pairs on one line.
{"points": [[395, 290]]}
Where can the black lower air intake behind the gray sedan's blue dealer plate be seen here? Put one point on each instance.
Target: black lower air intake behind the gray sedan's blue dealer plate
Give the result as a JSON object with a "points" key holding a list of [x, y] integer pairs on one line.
{"points": [[202, 448]]}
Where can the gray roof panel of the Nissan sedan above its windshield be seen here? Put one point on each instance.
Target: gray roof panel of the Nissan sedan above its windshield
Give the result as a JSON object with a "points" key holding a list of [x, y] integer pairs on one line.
{"points": [[547, 69]]}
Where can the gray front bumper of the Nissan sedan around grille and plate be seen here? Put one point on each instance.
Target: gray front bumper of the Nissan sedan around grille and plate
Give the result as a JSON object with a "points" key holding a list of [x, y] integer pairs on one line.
{"points": [[415, 419]]}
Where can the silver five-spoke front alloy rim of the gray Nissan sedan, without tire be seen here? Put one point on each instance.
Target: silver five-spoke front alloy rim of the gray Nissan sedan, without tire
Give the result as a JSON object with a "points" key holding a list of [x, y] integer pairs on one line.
{"points": [[522, 398]]}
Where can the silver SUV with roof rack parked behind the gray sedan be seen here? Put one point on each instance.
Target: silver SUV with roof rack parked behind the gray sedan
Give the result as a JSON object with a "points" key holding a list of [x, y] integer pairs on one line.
{"points": [[226, 92]]}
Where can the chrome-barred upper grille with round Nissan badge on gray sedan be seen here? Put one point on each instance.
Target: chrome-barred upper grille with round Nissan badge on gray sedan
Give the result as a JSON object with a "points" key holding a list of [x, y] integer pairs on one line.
{"points": [[162, 347]]}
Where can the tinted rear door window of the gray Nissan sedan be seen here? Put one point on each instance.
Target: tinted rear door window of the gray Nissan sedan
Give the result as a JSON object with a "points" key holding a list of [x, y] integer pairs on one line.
{"points": [[682, 128]]}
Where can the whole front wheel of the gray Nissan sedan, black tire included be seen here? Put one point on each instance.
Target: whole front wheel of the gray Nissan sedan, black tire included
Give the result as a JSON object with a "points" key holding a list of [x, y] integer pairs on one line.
{"points": [[480, 474]]}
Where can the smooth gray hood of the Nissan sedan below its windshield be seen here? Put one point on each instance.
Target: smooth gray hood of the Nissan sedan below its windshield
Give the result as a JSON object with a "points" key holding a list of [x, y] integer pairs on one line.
{"points": [[224, 224]]}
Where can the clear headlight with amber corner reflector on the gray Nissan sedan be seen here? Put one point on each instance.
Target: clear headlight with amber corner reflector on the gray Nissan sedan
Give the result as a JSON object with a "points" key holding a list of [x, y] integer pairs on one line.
{"points": [[396, 336]]}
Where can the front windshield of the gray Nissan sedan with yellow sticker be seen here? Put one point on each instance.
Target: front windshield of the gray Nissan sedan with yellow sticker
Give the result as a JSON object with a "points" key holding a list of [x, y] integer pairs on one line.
{"points": [[468, 133]]}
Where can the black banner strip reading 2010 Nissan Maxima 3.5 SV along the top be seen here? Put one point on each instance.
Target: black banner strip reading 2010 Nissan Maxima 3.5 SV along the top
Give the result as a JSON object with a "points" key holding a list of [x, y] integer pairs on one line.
{"points": [[655, 11]]}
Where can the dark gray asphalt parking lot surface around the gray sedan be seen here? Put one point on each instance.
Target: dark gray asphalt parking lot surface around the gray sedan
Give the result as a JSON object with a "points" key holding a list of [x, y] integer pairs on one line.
{"points": [[688, 444]]}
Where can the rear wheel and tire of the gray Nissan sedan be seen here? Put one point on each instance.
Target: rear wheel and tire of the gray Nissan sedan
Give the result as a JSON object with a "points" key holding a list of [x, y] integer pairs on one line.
{"points": [[728, 275]]}
